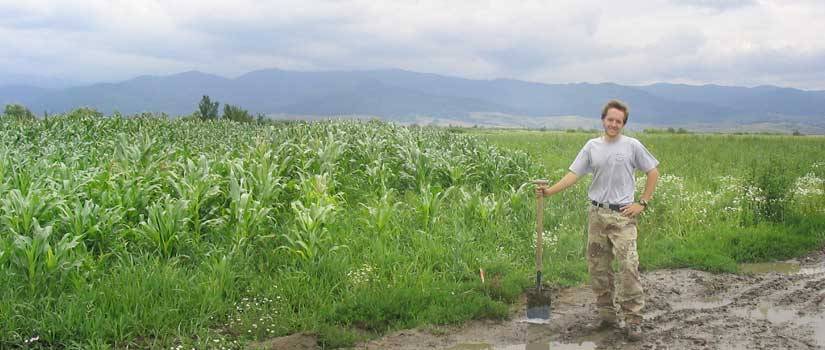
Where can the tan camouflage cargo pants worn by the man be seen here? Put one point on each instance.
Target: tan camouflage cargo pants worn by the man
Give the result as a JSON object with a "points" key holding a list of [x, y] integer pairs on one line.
{"points": [[610, 235]]}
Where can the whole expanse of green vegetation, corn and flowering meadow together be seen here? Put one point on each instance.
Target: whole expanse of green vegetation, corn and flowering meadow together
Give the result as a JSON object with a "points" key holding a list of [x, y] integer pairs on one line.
{"points": [[154, 233]]}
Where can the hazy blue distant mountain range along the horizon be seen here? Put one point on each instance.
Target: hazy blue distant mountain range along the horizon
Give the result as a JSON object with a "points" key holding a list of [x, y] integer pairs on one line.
{"points": [[411, 96]]}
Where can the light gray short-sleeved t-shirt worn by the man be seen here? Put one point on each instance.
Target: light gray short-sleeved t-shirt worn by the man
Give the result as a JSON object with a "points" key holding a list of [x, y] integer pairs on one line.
{"points": [[612, 165]]}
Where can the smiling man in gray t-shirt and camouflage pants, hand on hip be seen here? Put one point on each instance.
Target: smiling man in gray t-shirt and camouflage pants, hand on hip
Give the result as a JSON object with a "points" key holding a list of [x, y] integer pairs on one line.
{"points": [[612, 158]]}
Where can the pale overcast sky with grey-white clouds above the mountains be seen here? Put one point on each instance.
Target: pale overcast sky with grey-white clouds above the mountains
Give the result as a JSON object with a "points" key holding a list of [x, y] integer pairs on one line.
{"points": [[730, 42]]}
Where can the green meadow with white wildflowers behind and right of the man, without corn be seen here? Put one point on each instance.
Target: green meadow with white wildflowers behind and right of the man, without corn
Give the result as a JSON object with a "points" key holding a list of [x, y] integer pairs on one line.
{"points": [[721, 199]]}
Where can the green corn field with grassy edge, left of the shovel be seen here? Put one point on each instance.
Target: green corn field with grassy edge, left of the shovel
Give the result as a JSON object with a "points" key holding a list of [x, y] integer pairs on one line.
{"points": [[157, 228]]}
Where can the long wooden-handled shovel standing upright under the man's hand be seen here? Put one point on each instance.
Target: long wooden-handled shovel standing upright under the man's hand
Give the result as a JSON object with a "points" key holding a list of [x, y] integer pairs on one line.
{"points": [[538, 299]]}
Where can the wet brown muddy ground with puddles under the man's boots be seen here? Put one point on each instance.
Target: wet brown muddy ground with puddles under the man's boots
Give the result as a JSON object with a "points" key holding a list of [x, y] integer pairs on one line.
{"points": [[686, 309]]}
